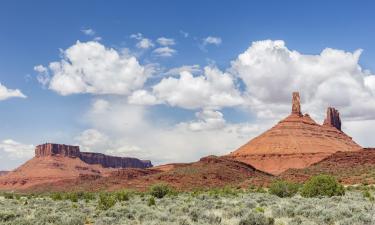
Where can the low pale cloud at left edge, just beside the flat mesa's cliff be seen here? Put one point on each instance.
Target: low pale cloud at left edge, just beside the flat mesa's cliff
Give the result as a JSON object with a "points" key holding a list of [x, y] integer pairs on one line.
{"points": [[16, 150]]}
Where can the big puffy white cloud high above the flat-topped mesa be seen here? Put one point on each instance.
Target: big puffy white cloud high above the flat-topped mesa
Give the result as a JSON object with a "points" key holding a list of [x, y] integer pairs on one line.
{"points": [[90, 67]]}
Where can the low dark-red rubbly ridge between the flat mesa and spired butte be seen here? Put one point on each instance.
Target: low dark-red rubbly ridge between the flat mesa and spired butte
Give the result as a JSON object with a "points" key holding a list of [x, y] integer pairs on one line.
{"points": [[207, 173]]}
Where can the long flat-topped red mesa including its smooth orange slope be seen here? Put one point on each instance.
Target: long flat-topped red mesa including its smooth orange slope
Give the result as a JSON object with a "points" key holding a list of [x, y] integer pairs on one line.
{"points": [[55, 162]]}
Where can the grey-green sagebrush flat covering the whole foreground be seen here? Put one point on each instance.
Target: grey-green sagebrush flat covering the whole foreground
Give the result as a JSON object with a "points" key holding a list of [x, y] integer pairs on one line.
{"points": [[224, 206]]}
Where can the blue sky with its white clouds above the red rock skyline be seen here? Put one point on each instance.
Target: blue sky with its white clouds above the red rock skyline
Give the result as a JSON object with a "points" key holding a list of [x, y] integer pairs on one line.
{"points": [[208, 34]]}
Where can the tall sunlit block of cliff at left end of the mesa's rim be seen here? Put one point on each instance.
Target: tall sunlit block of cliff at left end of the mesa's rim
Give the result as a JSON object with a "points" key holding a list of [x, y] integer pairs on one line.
{"points": [[50, 149]]}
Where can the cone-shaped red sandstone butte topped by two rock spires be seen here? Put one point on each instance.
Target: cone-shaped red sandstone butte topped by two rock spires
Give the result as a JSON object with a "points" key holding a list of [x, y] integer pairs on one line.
{"points": [[296, 142]]}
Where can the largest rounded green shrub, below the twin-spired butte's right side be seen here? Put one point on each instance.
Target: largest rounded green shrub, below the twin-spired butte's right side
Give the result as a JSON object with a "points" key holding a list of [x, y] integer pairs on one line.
{"points": [[322, 185]]}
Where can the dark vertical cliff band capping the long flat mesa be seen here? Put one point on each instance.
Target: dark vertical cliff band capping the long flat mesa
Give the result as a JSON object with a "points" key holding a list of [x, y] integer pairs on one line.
{"points": [[106, 161]]}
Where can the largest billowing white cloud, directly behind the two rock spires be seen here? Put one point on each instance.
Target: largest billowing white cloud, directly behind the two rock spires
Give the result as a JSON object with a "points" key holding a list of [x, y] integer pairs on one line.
{"points": [[271, 72]]}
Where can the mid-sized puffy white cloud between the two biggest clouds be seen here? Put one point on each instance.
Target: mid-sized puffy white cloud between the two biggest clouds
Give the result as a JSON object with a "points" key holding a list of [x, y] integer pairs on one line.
{"points": [[213, 89]]}
